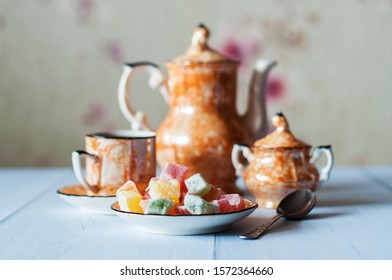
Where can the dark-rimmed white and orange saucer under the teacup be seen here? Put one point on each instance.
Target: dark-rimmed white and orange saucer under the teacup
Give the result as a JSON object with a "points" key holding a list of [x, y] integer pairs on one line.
{"points": [[76, 195]]}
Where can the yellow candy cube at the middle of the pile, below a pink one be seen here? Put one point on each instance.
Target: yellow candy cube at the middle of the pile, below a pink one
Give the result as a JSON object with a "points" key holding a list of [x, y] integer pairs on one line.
{"points": [[165, 189]]}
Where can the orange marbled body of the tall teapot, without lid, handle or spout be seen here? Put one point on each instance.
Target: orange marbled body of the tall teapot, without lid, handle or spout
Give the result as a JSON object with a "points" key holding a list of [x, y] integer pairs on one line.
{"points": [[202, 124]]}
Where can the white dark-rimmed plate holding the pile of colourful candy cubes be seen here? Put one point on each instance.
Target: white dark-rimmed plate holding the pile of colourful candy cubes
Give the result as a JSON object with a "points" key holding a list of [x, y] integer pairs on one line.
{"points": [[185, 224]]}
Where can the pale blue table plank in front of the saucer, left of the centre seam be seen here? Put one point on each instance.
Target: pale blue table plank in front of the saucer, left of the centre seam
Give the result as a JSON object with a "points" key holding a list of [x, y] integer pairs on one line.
{"points": [[49, 228]]}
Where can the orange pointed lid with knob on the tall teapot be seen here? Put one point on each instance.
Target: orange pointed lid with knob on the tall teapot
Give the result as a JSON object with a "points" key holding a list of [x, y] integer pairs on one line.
{"points": [[200, 52]]}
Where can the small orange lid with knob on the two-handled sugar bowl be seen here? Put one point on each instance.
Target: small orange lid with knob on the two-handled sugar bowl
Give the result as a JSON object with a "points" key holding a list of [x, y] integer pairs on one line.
{"points": [[281, 137]]}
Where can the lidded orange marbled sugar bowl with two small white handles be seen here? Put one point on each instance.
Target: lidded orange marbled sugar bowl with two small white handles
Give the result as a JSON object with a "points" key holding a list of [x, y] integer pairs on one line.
{"points": [[280, 164]]}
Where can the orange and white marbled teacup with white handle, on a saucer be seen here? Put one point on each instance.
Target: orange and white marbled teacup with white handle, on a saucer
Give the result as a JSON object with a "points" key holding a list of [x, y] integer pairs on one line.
{"points": [[112, 158]]}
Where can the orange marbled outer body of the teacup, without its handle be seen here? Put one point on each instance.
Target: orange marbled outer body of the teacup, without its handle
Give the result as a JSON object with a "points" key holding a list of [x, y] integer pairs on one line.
{"points": [[120, 160]]}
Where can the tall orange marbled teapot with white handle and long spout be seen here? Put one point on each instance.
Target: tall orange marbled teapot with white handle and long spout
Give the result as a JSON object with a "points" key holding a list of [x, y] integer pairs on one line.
{"points": [[202, 123]]}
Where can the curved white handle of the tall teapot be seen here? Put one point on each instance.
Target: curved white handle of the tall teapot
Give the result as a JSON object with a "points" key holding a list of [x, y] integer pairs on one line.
{"points": [[157, 80]]}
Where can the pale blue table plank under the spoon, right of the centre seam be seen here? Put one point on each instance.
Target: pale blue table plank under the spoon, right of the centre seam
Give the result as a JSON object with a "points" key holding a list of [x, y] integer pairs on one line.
{"points": [[351, 220]]}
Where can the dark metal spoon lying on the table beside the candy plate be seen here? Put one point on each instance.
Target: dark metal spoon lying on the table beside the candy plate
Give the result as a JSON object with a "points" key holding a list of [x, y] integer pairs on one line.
{"points": [[294, 206]]}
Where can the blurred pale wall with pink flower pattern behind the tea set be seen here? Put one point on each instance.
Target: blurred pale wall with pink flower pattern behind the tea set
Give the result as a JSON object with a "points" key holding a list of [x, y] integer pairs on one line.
{"points": [[60, 64]]}
